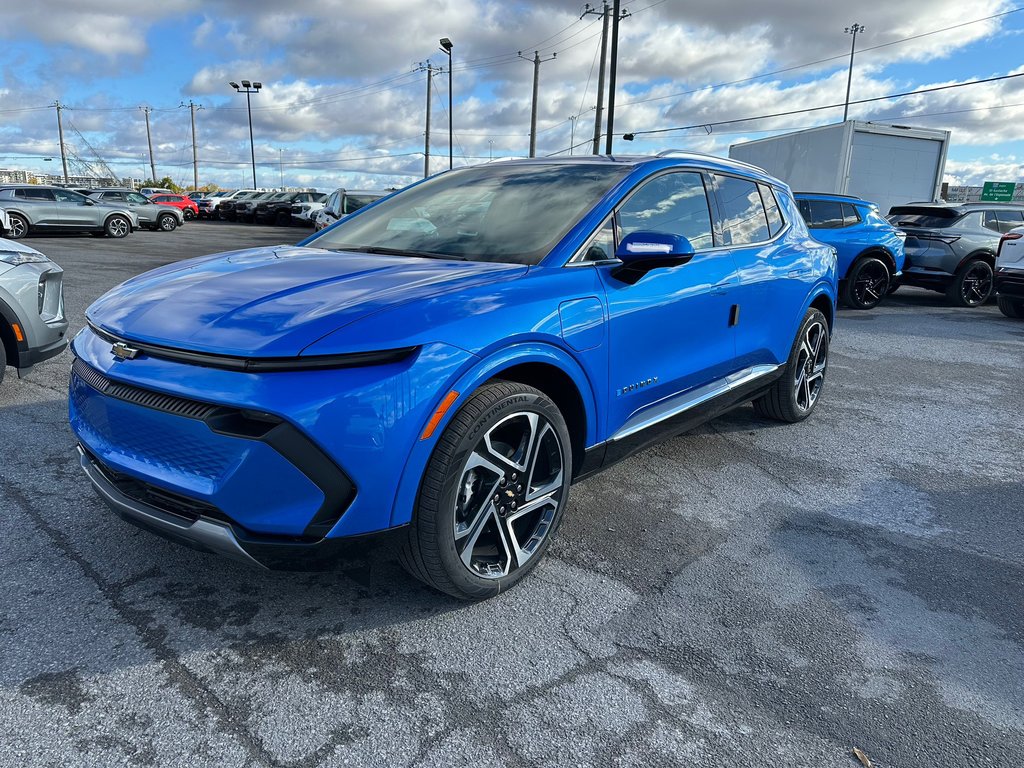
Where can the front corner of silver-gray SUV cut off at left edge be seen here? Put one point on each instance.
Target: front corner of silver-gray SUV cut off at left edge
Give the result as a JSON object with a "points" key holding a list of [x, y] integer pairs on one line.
{"points": [[32, 318]]}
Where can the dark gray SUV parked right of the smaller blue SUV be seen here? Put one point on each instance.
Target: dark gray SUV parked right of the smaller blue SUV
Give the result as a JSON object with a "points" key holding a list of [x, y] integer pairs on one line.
{"points": [[952, 248]]}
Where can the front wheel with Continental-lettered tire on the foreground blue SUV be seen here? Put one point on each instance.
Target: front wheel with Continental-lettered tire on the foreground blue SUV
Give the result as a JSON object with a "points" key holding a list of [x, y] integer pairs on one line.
{"points": [[462, 476]]}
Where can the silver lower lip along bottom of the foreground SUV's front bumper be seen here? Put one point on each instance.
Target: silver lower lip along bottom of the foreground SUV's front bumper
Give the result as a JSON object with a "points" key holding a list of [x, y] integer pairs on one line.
{"points": [[208, 535]]}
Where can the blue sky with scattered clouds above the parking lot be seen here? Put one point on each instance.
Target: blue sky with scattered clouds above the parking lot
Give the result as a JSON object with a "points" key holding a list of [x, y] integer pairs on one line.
{"points": [[345, 93]]}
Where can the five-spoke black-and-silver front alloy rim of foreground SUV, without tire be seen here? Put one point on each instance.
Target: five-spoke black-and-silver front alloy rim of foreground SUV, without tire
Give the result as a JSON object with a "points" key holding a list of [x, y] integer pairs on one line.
{"points": [[509, 492]]}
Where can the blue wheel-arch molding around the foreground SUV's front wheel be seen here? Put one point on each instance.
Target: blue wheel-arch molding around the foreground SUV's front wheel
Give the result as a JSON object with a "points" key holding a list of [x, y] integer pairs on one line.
{"points": [[468, 380]]}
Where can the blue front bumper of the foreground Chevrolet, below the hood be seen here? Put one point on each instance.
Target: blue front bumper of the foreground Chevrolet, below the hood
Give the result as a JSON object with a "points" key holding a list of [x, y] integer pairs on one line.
{"points": [[288, 461]]}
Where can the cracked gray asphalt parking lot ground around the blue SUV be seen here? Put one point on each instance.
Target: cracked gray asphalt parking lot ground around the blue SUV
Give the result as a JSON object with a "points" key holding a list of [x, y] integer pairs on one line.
{"points": [[748, 594]]}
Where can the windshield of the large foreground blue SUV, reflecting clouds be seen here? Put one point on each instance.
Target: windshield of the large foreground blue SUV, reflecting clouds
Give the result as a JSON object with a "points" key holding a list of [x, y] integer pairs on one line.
{"points": [[507, 214]]}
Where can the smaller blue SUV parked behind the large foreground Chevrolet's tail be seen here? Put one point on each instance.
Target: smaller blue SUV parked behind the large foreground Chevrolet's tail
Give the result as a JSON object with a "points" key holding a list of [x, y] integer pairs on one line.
{"points": [[870, 249]]}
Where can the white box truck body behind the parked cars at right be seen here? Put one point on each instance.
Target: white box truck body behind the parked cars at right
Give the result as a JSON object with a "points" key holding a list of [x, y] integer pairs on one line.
{"points": [[889, 165]]}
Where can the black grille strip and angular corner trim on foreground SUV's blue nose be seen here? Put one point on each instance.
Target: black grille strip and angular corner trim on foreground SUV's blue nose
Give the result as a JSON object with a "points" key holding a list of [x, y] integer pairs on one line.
{"points": [[282, 436]]}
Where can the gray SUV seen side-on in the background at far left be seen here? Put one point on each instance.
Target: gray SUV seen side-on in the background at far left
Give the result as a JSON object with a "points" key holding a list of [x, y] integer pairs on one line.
{"points": [[36, 208]]}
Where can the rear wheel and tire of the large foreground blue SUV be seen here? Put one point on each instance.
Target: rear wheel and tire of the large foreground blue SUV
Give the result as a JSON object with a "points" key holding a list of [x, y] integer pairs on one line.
{"points": [[795, 395]]}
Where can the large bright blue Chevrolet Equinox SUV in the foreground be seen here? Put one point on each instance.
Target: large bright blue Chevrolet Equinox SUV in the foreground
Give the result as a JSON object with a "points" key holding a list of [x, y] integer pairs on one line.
{"points": [[446, 362]]}
